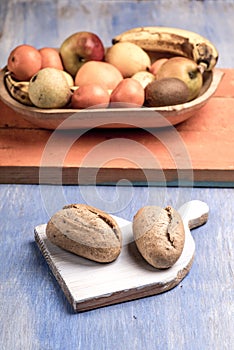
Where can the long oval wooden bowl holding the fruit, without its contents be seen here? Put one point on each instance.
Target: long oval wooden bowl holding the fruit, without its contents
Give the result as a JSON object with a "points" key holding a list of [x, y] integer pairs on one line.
{"points": [[133, 117]]}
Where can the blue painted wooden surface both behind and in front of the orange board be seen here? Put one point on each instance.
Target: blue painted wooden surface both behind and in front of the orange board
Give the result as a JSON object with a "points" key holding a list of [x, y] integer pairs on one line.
{"points": [[34, 313]]}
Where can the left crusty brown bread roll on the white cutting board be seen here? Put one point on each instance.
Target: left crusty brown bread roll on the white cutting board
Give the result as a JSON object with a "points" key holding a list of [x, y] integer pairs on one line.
{"points": [[85, 231]]}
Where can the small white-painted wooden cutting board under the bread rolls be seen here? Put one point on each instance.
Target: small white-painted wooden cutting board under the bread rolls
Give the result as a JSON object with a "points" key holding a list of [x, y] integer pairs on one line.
{"points": [[88, 285]]}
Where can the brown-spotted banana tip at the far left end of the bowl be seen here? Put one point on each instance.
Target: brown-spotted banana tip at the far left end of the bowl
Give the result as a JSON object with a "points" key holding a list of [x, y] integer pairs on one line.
{"points": [[17, 89]]}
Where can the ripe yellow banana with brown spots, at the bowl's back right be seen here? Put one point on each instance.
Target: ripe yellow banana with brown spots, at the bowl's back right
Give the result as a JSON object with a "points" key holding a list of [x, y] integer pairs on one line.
{"points": [[175, 41]]}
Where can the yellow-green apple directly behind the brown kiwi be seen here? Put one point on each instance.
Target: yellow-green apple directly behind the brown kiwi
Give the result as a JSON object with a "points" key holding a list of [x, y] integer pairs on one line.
{"points": [[185, 69]]}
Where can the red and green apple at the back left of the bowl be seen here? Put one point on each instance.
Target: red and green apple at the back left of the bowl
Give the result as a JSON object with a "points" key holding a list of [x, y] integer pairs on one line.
{"points": [[79, 48]]}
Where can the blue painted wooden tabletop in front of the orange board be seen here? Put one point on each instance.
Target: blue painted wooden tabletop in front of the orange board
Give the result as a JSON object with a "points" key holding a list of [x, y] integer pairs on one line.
{"points": [[31, 298]]}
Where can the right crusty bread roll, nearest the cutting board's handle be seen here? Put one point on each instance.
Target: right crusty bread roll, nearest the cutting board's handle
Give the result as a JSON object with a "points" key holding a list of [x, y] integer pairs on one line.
{"points": [[159, 235]]}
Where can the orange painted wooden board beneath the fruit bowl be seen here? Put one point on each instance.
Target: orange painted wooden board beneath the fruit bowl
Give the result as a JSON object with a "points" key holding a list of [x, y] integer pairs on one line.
{"points": [[199, 151]]}
